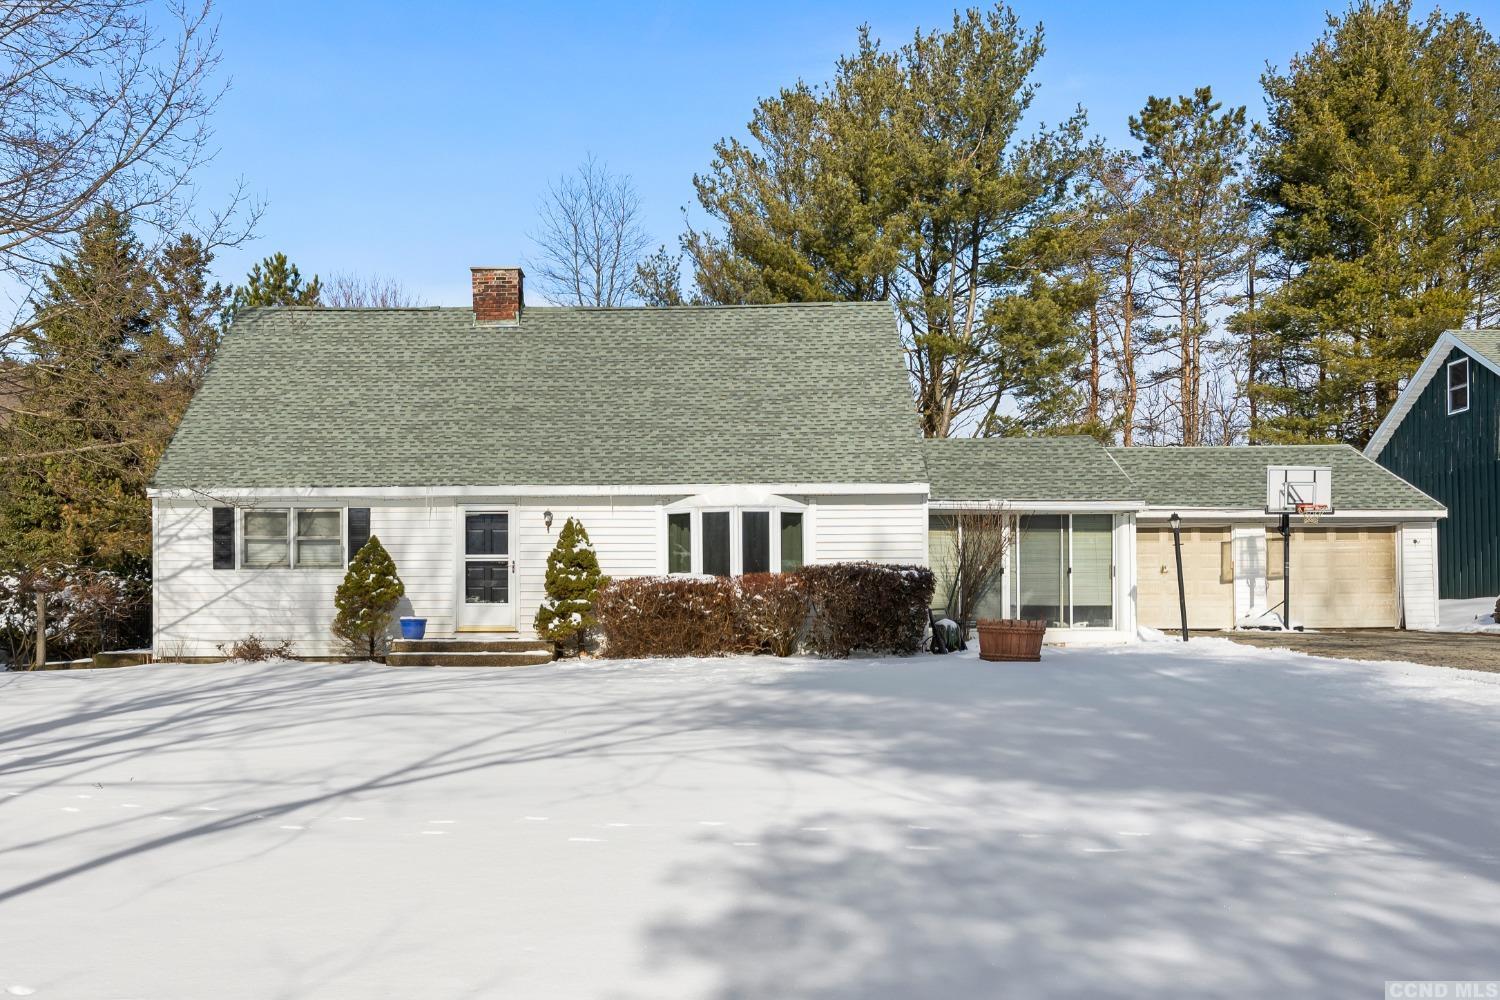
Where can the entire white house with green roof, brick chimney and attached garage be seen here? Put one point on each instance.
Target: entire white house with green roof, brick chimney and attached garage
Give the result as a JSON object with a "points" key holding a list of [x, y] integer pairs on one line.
{"points": [[688, 440]]}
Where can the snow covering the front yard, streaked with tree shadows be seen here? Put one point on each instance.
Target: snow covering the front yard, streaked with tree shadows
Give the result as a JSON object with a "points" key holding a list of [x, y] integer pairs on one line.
{"points": [[1168, 819]]}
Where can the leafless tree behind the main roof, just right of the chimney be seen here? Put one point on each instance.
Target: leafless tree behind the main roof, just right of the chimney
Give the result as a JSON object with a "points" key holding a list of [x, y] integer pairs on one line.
{"points": [[590, 238]]}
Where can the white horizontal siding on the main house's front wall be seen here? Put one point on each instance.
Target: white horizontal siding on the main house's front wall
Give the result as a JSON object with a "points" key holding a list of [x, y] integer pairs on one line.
{"points": [[202, 608]]}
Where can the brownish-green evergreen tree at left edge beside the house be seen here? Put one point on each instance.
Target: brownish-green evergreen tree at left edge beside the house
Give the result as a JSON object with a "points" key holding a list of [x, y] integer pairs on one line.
{"points": [[95, 415]]}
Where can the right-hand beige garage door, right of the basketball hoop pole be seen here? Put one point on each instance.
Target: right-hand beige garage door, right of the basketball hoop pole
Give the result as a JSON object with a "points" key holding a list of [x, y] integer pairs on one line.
{"points": [[1342, 578]]}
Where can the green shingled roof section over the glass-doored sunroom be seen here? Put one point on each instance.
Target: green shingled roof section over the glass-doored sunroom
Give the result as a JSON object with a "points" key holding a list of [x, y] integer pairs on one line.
{"points": [[1016, 470]]}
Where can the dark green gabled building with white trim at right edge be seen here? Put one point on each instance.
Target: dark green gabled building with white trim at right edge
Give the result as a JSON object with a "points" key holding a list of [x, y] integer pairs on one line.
{"points": [[1444, 436]]}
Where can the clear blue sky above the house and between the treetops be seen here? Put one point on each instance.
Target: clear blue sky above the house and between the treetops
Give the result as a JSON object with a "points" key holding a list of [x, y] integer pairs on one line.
{"points": [[416, 146]]}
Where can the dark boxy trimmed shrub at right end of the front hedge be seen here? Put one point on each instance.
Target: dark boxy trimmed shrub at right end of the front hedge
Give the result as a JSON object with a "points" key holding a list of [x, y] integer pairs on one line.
{"points": [[866, 606]]}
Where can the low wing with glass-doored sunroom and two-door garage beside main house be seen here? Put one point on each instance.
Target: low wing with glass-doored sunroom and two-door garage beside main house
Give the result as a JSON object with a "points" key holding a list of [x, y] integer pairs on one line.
{"points": [[1093, 551]]}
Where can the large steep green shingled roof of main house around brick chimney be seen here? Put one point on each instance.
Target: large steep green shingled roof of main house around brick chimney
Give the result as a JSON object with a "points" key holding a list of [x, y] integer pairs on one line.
{"points": [[800, 394]]}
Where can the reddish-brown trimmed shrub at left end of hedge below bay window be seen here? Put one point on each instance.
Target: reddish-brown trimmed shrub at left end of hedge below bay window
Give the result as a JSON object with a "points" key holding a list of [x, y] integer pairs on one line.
{"points": [[670, 617]]}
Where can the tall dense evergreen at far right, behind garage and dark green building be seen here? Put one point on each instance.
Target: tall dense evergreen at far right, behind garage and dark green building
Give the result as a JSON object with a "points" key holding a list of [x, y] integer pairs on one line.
{"points": [[1381, 181]]}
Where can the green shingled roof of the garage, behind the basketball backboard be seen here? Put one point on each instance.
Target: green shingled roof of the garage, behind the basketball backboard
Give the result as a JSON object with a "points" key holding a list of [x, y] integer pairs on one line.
{"points": [[1235, 478]]}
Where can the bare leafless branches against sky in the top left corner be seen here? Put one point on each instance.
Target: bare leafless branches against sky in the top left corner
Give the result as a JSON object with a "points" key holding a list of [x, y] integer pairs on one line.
{"points": [[98, 103]]}
